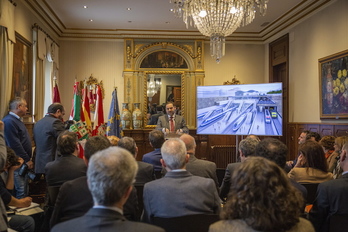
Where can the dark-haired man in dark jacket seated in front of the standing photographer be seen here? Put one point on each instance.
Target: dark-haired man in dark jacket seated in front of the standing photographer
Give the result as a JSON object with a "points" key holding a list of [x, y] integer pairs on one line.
{"points": [[67, 166]]}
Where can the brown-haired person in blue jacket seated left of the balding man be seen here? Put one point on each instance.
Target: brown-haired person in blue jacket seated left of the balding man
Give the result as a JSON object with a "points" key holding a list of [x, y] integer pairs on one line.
{"points": [[156, 139]]}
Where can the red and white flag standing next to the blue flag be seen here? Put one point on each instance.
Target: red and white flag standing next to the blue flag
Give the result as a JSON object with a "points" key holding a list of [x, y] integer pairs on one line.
{"points": [[99, 126]]}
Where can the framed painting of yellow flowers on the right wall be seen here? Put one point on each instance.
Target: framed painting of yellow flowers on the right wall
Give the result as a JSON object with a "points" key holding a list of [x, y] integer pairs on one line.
{"points": [[333, 82]]}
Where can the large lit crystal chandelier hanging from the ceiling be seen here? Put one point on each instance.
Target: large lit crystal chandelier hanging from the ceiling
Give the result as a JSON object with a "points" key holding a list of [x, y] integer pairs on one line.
{"points": [[218, 18]]}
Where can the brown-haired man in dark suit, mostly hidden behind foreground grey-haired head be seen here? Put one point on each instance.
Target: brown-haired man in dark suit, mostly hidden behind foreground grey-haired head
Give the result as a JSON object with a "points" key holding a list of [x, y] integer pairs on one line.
{"points": [[75, 199]]}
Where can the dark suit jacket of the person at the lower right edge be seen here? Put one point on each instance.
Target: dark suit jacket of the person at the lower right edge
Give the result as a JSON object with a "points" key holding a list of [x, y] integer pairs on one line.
{"points": [[332, 198]]}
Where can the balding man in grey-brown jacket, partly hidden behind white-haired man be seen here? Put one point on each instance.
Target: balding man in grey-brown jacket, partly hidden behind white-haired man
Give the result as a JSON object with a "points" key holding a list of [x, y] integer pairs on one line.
{"points": [[198, 167]]}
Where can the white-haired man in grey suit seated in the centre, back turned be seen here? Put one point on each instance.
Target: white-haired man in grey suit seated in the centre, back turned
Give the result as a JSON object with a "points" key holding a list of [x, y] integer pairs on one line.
{"points": [[179, 193]]}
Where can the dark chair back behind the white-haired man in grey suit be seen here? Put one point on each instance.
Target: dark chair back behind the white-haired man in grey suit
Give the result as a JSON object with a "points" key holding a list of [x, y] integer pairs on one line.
{"points": [[189, 223]]}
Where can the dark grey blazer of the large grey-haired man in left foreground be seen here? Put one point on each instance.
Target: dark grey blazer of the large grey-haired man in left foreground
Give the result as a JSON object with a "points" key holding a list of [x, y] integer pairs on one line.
{"points": [[104, 220]]}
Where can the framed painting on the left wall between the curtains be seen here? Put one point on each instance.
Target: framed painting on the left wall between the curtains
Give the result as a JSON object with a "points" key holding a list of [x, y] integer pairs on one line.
{"points": [[22, 83]]}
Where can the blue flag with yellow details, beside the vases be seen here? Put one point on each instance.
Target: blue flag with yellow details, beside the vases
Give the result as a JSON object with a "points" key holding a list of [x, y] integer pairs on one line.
{"points": [[113, 125]]}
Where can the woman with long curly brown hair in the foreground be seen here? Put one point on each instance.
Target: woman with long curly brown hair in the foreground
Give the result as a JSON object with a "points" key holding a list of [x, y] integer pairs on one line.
{"points": [[262, 199]]}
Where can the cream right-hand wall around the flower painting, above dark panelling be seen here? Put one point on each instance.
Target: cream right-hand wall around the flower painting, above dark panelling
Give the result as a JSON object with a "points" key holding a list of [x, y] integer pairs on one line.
{"points": [[323, 34]]}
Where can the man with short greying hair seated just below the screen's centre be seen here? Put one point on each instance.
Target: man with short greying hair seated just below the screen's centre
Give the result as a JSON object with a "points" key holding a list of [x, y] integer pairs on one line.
{"points": [[246, 148]]}
